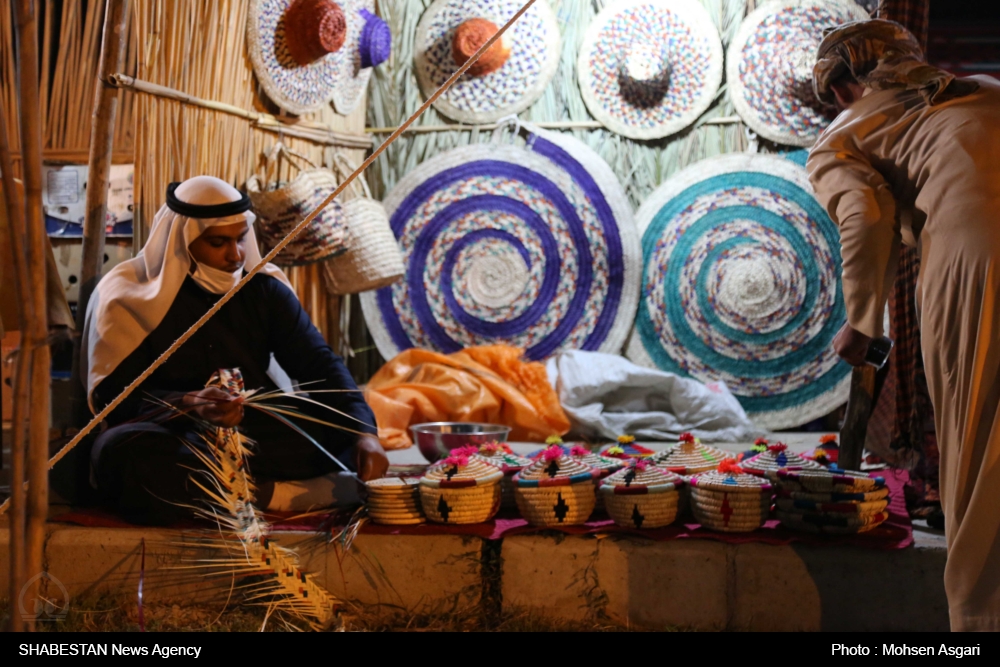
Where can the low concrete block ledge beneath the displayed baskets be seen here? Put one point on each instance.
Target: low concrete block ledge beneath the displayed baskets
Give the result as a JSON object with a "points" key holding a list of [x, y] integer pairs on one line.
{"points": [[686, 584]]}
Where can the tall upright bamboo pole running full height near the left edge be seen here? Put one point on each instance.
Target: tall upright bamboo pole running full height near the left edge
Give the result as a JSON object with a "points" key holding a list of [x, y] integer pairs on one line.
{"points": [[34, 330]]}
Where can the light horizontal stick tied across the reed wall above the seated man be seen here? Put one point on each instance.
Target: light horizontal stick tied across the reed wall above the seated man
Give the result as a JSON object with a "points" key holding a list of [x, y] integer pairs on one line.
{"points": [[316, 132]]}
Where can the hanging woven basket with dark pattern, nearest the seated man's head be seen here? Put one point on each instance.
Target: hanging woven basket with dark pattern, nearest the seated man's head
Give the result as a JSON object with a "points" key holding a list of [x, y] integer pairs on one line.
{"points": [[280, 207]]}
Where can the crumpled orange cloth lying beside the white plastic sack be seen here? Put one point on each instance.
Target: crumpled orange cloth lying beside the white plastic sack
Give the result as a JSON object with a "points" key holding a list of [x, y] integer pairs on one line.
{"points": [[480, 384]]}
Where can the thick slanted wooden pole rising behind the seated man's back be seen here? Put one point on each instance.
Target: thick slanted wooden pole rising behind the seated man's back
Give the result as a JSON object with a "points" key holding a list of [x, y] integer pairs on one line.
{"points": [[102, 134]]}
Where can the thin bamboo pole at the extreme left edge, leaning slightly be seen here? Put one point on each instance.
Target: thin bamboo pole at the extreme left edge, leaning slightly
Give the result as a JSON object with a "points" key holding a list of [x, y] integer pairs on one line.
{"points": [[15, 236]]}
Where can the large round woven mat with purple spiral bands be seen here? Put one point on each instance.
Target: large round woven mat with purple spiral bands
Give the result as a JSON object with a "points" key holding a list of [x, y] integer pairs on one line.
{"points": [[534, 247]]}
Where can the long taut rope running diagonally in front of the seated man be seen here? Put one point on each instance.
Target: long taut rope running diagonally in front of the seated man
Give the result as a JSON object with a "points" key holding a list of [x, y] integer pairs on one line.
{"points": [[277, 249]]}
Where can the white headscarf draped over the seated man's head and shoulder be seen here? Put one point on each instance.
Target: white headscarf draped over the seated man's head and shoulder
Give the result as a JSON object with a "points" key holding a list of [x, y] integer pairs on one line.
{"points": [[133, 298]]}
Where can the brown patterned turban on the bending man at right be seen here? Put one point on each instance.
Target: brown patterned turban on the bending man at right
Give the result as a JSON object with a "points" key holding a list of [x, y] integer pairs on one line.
{"points": [[882, 55]]}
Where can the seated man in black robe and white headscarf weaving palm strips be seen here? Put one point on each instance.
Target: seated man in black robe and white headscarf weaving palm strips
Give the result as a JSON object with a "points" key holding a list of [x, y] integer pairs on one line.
{"points": [[200, 243]]}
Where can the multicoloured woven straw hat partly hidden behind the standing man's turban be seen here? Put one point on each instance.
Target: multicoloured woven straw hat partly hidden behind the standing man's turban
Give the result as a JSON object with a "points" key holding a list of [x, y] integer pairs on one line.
{"points": [[769, 67]]}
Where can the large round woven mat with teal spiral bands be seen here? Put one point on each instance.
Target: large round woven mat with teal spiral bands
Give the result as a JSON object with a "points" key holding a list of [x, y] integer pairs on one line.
{"points": [[741, 283]]}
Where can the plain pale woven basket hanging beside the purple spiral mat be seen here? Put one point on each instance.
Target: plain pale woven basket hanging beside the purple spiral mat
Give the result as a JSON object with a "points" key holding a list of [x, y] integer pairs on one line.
{"points": [[373, 259]]}
